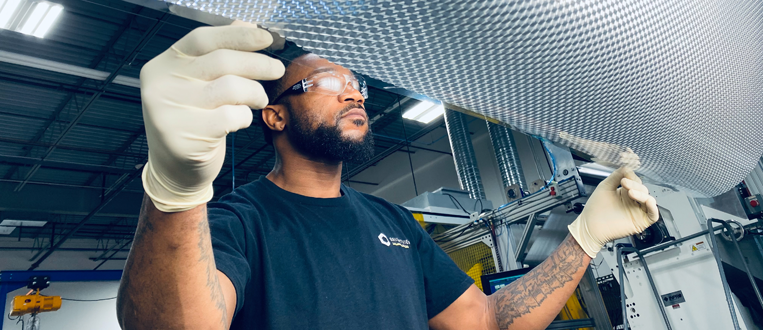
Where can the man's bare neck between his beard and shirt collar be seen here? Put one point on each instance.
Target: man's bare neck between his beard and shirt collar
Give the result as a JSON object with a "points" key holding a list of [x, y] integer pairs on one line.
{"points": [[298, 174]]}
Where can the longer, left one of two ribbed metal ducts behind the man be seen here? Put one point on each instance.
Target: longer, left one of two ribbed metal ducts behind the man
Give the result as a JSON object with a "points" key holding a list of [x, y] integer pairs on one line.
{"points": [[463, 154]]}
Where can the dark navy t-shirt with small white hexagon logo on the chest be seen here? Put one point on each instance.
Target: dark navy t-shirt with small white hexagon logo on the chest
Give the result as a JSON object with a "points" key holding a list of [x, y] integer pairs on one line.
{"points": [[353, 262]]}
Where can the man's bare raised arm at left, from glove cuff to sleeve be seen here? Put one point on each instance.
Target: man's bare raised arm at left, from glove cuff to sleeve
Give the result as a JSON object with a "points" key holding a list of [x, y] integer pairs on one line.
{"points": [[170, 280]]}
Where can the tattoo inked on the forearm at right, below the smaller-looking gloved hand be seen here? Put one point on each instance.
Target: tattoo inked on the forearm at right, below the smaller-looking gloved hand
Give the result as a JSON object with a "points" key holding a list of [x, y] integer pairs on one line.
{"points": [[528, 292]]}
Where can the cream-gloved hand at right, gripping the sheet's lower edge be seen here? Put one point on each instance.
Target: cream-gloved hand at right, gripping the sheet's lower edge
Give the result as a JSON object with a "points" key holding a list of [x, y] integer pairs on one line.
{"points": [[613, 212]]}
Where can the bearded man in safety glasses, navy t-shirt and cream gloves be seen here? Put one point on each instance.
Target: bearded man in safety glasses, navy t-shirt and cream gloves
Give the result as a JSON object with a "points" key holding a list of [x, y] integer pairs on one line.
{"points": [[296, 249]]}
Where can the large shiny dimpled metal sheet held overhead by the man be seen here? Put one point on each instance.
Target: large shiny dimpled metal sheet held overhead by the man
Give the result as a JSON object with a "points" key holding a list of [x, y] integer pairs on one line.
{"points": [[671, 87]]}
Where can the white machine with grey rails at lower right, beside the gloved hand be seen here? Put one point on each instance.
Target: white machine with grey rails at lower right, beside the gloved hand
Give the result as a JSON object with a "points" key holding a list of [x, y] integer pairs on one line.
{"points": [[686, 275]]}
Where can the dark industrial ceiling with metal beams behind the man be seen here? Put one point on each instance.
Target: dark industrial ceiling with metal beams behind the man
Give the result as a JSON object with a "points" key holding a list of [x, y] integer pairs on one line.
{"points": [[72, 141]]}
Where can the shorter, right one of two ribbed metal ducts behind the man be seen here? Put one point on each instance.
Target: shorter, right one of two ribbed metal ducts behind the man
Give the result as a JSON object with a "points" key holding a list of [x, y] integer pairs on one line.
{"points": [[507, 157]]}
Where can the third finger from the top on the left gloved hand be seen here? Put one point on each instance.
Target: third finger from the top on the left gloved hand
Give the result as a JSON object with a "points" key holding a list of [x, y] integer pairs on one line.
{"points": [[233, 90]]}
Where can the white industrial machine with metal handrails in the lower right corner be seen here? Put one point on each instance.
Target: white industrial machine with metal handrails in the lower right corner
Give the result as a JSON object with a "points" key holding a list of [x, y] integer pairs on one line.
{"points": [[675, 275]]}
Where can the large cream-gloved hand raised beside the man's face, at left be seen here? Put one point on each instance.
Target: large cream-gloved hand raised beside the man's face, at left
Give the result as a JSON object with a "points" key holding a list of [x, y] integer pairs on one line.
{"points": [[194, 94]]}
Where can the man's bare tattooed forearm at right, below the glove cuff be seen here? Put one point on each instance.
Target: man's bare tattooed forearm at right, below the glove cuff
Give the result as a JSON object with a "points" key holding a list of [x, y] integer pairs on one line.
{"points": [[535, 299]]}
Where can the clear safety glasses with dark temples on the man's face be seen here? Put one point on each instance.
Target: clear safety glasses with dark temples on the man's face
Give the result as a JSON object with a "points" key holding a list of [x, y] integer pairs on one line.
{"points": [[329, 83]]}
